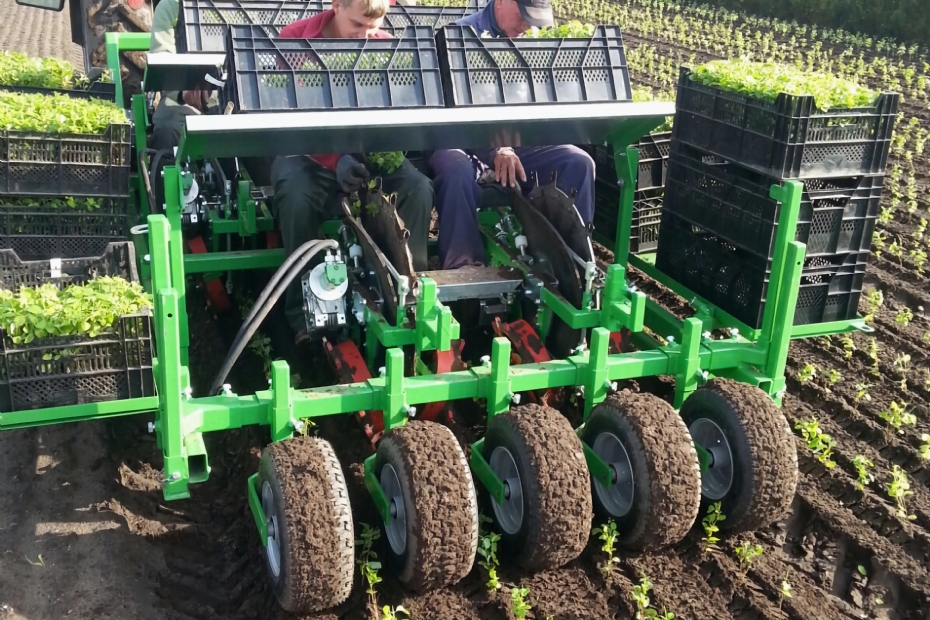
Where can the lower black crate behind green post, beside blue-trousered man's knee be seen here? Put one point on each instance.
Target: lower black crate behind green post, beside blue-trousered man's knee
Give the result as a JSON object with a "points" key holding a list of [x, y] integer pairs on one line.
{"points": [[647, 214]]}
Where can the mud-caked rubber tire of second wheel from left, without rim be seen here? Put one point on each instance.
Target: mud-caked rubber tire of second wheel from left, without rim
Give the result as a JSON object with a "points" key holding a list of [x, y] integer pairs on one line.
{"points": [[440, 503]]}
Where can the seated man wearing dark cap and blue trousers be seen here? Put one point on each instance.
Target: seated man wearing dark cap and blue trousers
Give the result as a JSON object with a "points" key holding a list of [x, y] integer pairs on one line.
{"points": [[456, 171]]}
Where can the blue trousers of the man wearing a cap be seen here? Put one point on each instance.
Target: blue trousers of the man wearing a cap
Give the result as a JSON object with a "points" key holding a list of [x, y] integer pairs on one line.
{"points": [[455, 179]]}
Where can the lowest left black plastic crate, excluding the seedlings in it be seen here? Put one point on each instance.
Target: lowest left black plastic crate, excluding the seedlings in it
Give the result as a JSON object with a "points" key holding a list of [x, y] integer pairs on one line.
{"points": [[71, 370]]}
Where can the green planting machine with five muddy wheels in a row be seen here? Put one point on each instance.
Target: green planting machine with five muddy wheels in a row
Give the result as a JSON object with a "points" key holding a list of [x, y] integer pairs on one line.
{"points": [[563, 322]]}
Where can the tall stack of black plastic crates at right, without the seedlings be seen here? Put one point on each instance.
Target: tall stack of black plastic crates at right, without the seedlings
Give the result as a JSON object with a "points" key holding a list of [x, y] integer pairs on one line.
{"points": [[719, 221]]}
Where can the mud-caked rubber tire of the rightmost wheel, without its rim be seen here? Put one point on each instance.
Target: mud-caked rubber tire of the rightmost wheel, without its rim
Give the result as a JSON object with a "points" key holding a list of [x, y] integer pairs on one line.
{"points": [[765, 460]]}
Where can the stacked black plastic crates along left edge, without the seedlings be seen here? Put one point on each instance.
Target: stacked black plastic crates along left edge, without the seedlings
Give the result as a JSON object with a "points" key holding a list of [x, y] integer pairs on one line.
{"points": [[63, 220]]}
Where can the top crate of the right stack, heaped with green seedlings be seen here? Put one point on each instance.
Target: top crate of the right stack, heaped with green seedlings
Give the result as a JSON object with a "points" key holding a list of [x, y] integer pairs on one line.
{"points": [[784, 122]]}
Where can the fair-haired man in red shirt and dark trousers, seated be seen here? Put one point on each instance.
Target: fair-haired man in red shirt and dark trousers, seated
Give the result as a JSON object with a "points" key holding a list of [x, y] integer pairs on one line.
{"points": [[305, 187]]}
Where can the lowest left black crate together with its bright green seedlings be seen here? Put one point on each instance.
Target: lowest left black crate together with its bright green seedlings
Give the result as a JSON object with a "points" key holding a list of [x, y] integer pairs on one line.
{"points": [[73, 331]]}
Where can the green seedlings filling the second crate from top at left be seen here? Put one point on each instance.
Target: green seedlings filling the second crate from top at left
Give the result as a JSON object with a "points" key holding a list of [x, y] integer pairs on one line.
{"points": [[57, 113]]}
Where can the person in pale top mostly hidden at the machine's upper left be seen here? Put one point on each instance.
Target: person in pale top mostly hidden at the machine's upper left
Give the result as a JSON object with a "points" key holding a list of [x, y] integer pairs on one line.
{"points": [[174, 106]]}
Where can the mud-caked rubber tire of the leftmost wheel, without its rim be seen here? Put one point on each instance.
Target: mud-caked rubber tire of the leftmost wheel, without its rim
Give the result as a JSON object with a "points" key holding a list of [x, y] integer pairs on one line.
{"points": [[317, 538]]}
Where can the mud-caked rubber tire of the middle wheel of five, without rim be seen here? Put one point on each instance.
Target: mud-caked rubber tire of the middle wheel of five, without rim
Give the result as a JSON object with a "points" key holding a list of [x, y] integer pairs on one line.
{"points": [[555, 482]]}
